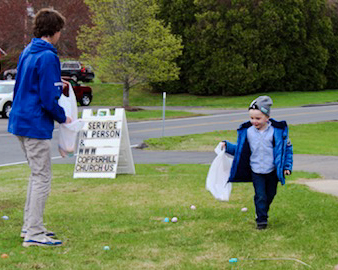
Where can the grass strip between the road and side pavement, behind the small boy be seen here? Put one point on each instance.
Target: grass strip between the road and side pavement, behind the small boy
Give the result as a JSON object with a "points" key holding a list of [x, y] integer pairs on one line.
{"points": [[314, 139]]}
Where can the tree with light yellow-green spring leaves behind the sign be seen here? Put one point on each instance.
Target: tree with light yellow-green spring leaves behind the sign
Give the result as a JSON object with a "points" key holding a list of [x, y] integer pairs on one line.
{"points": [[128, 44]]}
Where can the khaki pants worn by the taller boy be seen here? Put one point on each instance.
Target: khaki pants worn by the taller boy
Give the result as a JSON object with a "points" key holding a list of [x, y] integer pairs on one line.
{"points": [[38, 155]]}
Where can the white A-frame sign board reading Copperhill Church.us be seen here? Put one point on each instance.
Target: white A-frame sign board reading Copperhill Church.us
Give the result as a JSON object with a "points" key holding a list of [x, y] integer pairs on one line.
{"points": [[104, 145]]}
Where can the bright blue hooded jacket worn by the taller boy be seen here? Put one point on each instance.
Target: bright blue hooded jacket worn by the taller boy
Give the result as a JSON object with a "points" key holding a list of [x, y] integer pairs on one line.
{"points": [[37, 89]]}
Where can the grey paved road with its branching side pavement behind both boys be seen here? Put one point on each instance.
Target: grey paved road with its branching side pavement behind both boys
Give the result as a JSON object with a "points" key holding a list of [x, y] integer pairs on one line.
{"points": [[10, 151]]}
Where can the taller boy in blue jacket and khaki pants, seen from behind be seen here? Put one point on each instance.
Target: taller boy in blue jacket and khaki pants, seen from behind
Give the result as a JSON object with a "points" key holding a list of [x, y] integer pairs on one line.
{"points": [[37, 89]]}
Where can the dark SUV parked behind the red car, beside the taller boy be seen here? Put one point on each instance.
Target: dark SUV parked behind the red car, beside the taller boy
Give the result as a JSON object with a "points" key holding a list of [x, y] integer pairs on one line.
{"points": [[77, 71]]}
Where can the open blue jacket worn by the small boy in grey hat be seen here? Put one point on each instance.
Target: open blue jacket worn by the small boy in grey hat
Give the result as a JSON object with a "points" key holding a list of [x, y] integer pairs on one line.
{"points": [[282, 152]]}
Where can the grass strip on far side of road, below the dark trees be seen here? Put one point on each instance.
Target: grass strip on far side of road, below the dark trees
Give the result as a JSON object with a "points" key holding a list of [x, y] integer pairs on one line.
{"points": [[111, 95]]}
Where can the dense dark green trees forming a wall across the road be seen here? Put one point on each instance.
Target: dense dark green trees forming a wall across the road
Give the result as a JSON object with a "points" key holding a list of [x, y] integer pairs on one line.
{"points": [[237, 47]]}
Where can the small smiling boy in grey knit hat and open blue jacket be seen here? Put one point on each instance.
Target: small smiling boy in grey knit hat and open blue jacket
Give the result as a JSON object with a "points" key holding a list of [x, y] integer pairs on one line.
{"points": [[263, 155]]}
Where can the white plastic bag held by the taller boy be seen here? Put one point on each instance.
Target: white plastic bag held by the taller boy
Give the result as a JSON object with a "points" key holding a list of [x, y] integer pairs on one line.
{"points": [[68, 132]]}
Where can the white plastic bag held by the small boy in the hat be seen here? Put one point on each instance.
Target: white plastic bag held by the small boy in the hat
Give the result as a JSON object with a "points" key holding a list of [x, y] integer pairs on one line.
{"points": [[218, 176]]}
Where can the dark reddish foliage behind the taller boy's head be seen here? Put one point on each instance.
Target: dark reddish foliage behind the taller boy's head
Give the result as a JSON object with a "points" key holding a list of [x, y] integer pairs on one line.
{"points": [[16, 17]]}
